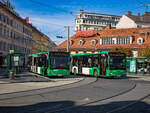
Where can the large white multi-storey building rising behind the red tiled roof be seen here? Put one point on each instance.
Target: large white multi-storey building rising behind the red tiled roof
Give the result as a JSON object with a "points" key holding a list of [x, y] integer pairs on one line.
{"points": [[93, 21]]}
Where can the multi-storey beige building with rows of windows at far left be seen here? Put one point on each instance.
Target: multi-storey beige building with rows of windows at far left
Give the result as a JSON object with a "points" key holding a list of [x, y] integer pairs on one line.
{"points": [[15, 33]]}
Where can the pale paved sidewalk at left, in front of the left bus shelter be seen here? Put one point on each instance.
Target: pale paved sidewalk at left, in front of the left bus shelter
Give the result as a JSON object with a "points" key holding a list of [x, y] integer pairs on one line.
{"points": [[28, 81]]}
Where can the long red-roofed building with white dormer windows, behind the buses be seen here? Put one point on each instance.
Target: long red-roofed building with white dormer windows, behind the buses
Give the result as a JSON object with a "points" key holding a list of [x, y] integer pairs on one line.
{"points": [[95, 41]]}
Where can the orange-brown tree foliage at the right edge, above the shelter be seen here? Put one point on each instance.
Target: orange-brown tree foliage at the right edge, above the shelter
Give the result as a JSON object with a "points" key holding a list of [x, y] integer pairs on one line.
{"points": [[144, 52]]}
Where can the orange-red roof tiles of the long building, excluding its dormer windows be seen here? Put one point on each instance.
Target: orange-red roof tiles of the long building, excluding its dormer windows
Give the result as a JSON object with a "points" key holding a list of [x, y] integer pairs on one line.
{"points": [[135, 32]]}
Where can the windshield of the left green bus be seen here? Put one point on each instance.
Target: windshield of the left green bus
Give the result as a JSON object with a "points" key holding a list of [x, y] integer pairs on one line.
{"points": [[59, 62]]}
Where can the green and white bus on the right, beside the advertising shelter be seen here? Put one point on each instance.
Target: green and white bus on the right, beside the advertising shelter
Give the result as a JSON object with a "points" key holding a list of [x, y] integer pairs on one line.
{"points": [[106, 64]]}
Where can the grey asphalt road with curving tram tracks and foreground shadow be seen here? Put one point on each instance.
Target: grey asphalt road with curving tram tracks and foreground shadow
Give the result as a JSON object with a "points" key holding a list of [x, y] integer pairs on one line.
{"points": [[88, 96]]}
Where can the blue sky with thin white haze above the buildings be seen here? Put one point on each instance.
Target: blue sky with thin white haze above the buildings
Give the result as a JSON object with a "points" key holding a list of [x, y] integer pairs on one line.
{"points": [[50, 16]]}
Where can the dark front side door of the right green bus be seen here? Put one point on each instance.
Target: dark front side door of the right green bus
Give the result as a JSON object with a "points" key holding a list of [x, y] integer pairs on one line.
{"points": [[103, 64]]}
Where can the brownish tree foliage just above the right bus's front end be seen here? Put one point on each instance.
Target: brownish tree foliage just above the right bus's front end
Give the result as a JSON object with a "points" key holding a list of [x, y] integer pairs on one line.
{"points": [[127, 51]]}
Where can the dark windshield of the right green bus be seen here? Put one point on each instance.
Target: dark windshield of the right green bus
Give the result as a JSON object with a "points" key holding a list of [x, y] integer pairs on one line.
{"points": [[117, 62]]}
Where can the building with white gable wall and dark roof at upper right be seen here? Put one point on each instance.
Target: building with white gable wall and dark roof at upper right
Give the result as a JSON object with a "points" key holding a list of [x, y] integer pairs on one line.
{"points": [[134, 21]]}
